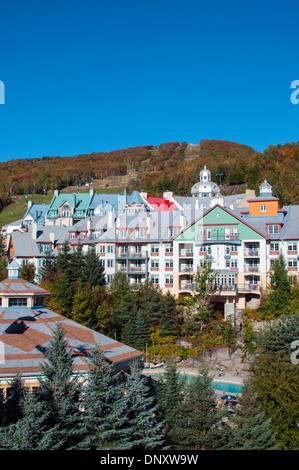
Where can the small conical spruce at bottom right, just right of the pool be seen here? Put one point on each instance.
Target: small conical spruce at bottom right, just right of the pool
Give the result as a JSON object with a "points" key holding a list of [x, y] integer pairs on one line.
{"points": [[252, 429]]}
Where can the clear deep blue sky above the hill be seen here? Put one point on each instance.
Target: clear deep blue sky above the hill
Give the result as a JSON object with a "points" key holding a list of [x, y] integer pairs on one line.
{"points": [[89, 76]]}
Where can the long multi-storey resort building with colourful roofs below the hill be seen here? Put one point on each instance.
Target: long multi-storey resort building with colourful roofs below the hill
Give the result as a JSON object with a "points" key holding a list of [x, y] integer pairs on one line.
{"points": [[166, 240]]}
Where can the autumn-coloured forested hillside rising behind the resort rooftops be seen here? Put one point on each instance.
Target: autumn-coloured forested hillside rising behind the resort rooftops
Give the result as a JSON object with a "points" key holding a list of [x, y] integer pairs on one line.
{"points": [[170, 166]]}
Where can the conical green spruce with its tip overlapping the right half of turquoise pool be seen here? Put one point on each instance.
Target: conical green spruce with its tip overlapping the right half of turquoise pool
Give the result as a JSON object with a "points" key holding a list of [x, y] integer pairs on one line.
{"points": [[200, 425]]}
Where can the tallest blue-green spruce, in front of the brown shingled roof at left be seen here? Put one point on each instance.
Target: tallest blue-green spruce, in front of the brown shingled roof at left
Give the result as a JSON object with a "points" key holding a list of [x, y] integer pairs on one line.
{"points": [[60, 390]]}
